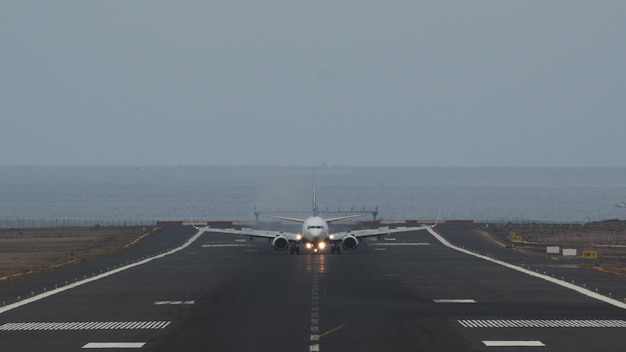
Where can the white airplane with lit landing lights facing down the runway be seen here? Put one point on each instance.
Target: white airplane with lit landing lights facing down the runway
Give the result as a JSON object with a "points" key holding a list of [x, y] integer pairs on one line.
{"points": [[315, 234]]}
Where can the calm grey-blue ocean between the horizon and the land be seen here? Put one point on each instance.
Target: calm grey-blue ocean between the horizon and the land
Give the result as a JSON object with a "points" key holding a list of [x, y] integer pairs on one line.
{"points": [[114, 195]]}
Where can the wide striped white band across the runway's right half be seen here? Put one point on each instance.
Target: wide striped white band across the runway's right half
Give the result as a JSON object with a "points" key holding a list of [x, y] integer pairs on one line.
{"points": [[512, 323]]}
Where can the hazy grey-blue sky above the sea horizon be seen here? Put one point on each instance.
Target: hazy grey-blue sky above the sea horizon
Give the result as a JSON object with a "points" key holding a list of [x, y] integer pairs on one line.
{"points": [[468, 83]]}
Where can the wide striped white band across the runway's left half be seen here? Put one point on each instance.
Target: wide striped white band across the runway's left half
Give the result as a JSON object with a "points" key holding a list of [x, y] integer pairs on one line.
{"points": [[85, 325]]}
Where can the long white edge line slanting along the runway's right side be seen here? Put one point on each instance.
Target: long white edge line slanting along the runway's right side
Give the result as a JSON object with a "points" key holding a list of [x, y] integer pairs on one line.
{"points": [[562, 283]]}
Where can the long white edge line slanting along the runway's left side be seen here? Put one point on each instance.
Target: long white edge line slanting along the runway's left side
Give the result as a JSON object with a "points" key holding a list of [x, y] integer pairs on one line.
{"points": [[99, 277]]}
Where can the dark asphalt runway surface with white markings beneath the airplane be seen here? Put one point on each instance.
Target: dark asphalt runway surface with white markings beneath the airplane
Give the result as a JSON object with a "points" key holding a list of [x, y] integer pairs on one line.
{"points": [[215, 292]]}
